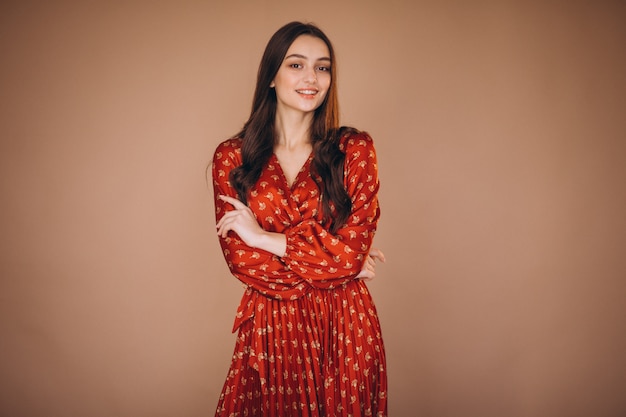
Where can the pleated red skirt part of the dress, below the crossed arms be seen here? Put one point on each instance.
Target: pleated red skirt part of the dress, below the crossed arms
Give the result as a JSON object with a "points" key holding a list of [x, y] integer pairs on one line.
{"points": [[319, 355]]}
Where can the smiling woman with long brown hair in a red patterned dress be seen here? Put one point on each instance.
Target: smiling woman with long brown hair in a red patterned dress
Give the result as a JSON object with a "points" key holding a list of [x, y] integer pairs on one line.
{"points": [[296, 208]]}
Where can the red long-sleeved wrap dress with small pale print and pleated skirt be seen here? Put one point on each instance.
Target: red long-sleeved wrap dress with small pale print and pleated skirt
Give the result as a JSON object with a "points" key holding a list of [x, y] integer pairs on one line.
{"points": [[309, 340]]}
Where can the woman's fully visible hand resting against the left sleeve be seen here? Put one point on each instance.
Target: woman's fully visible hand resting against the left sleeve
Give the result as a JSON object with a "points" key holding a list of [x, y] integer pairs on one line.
{"points": [[240, 220]]}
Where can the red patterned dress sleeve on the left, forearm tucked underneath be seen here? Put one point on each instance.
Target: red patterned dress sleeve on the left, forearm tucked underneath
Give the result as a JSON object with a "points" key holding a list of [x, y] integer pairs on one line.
{"points": [[256, 268]]}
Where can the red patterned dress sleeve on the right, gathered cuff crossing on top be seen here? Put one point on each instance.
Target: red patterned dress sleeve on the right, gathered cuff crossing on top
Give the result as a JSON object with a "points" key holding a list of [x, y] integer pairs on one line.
{"points": [[324, 259]]}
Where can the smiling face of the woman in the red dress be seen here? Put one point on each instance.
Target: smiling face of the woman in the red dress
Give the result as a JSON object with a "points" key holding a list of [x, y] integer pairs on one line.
{"points": [[303, 78]]}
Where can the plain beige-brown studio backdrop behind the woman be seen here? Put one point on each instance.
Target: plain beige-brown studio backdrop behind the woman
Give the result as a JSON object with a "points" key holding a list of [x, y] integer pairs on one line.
{"points": [[501, 132]]}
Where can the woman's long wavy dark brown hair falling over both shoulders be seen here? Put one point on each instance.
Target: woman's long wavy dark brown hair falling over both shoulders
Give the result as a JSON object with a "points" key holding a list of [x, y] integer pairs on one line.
{"points": [[258, 133]]}
